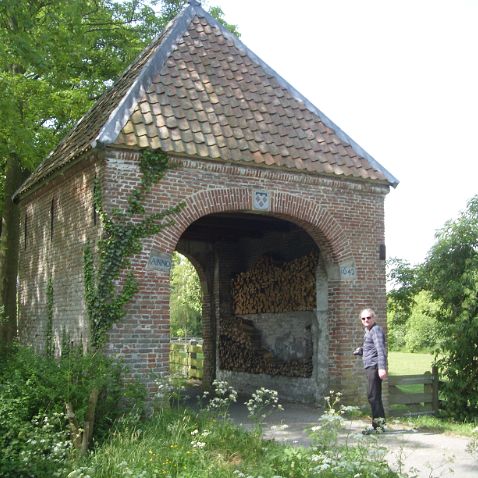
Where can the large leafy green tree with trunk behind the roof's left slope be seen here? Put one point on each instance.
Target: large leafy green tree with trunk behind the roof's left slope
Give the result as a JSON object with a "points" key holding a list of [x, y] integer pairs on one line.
{"points": [[56, 59]]}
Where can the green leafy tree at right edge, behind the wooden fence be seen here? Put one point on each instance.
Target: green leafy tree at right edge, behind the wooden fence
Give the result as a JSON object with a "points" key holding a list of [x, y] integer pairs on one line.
{"points": [[449, 276]]}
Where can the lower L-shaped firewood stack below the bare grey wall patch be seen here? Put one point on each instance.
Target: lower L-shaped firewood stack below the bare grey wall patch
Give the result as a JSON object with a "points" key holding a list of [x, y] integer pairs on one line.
{"points": [[240, 350]]}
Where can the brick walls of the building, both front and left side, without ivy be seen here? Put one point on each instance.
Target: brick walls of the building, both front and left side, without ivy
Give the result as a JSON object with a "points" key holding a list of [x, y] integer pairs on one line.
{"points": [[345, 219]]}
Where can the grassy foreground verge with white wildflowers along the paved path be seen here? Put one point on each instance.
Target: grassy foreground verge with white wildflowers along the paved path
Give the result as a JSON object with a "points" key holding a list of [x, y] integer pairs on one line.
{"points": [[167, 445]]}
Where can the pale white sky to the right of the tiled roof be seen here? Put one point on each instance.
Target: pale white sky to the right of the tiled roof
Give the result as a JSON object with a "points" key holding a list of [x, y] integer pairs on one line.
{"points": [[400, 77]]}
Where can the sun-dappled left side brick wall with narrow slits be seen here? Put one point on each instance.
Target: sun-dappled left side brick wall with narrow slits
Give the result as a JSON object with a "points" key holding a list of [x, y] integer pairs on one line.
{"points": [[56, 223]]}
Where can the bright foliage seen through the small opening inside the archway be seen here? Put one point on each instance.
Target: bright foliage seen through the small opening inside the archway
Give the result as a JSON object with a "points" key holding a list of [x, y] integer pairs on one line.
{"points": [[186, 298]]}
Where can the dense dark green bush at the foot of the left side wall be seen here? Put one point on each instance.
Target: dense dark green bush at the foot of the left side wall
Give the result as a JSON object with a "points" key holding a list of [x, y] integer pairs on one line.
{"points": [[34, 436]]}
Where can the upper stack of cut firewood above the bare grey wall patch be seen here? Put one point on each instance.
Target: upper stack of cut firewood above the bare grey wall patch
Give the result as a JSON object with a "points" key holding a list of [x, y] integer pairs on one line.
{"points": [[269, 287]]}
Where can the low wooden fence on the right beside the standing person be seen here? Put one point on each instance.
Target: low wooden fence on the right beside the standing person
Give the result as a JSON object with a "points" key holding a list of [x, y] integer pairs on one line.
{"points": [[414, 394]]}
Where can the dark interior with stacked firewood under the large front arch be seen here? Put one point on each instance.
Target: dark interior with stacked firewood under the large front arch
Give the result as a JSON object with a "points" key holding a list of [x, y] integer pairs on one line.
{"points": [[262, 279]]}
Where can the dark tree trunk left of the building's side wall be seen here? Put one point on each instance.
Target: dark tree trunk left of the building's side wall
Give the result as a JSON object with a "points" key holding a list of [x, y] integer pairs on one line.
{"points": [[9, 243]]}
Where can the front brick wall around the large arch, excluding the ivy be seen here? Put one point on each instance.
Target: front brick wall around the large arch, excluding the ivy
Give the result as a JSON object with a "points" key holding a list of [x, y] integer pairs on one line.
{"points": [[345, 219]]}
